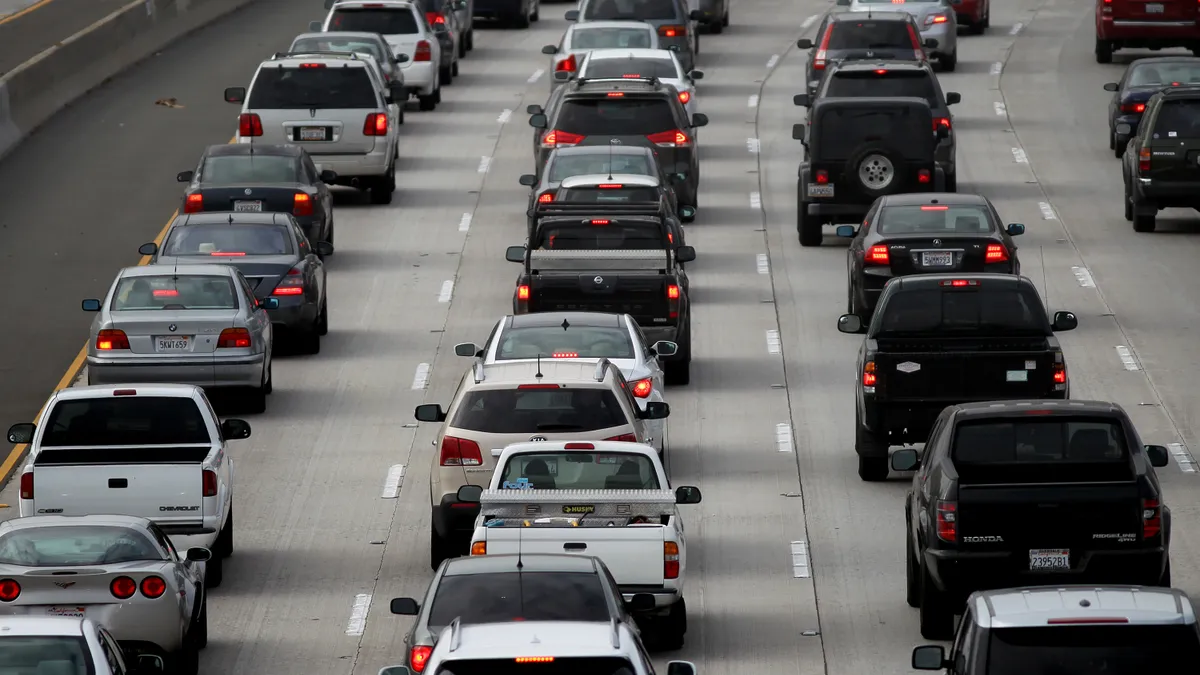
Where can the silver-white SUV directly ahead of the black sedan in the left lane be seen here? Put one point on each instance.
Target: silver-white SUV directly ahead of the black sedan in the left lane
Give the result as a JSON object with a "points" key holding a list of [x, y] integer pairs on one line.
{"points": [[332, 105]]}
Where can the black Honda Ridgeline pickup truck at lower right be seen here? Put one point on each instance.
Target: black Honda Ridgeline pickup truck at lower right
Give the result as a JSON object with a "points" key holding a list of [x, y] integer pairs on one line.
{"points": [[1027, 494]]}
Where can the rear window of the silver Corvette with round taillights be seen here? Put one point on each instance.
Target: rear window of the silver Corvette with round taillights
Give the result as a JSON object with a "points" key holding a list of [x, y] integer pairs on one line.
{"points": [[75, 545]]}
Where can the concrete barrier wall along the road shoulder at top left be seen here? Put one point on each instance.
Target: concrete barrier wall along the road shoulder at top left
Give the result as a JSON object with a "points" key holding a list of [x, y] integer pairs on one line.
{"points": [[35, 91]]}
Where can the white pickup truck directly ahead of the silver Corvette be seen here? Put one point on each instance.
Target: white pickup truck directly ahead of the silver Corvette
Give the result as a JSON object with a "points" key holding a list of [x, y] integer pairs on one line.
{"points": [[153, 451]]}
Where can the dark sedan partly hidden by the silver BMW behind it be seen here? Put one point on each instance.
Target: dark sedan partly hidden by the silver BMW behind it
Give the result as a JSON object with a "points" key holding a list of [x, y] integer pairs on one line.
{"points": [[272, 252]]}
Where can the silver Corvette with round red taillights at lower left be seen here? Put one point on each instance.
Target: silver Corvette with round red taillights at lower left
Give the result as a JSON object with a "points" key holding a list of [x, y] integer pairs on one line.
{"points": [[118, 571]]}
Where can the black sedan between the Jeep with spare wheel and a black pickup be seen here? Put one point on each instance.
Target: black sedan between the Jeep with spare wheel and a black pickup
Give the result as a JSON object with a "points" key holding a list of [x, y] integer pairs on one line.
{"points": [[926, 234]]}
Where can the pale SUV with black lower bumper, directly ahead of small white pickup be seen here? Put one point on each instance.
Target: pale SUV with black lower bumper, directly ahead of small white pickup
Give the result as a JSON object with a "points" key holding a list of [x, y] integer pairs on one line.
{"points": [[513, 403]]}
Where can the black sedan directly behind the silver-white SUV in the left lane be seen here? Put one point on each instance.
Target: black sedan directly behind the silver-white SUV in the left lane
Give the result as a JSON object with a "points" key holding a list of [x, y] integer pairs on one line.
{"points": [[261, 178]]}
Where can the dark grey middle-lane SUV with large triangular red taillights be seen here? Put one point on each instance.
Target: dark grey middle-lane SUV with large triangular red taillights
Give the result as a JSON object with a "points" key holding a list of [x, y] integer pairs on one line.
{"points": [[625, 112]]}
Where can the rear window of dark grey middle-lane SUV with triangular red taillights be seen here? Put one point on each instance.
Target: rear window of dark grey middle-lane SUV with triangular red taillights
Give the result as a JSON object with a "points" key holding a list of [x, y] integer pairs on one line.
{"points": [[616, 117]]}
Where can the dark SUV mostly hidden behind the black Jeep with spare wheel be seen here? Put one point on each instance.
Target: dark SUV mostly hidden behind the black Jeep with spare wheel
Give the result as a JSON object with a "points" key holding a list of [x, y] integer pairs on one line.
{"points": [[855, 80]]}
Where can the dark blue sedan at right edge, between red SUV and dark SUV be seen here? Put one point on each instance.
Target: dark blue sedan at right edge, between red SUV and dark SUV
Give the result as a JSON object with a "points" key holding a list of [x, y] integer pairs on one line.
{"points": [[1143, 80]]}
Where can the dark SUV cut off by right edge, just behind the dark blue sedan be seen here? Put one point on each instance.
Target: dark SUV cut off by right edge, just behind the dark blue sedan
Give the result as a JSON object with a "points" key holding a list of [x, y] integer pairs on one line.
{"points": [[1162, 163]]}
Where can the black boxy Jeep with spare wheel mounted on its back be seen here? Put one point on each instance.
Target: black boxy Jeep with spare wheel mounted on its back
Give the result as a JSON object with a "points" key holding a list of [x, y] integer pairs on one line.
{"points": [[859, 151]]}
